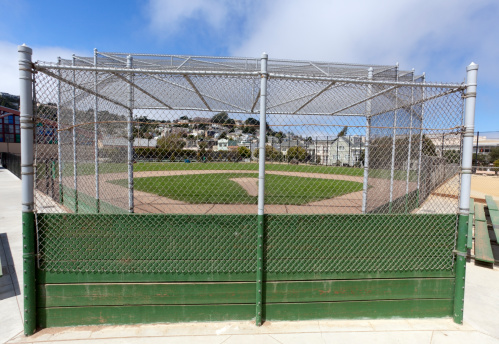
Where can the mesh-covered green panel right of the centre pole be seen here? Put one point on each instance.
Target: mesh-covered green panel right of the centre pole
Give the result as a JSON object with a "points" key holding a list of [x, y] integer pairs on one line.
{"points": [[358, 243]]}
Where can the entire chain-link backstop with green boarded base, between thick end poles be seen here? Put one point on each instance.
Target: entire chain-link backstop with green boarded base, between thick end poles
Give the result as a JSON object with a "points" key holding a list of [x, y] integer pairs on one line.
{"points": [[305, 189]]}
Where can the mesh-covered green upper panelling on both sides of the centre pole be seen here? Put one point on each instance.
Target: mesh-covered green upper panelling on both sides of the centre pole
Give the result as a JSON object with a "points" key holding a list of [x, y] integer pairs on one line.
{"points": [[297, 246]]}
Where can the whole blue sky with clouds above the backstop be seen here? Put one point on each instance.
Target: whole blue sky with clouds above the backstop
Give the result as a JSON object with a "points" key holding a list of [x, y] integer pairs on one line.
{"points": [[439, 37]]}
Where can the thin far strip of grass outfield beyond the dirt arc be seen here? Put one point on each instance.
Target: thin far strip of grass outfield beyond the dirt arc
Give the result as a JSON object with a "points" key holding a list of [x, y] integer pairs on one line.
{"points": [[89, 169]]}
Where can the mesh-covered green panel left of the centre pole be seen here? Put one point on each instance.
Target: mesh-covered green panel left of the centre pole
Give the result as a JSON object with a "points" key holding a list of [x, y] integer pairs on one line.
{"points": [[177, 244]]}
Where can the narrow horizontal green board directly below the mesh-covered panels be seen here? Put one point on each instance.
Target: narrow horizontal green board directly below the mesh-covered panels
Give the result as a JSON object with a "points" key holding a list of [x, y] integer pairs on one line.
{"points": [[45, 277]]}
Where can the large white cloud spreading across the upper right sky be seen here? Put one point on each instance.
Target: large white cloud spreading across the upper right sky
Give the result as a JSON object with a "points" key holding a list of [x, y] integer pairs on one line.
{"points": [[440, 37]]}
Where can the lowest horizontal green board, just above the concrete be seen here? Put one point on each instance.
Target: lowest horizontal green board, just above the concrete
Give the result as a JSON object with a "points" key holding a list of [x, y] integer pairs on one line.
{"points": [[122, 315]]}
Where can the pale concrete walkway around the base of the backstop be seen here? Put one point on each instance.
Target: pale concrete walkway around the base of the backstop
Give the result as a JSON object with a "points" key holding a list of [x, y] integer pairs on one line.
{"points": [[480, 315]]}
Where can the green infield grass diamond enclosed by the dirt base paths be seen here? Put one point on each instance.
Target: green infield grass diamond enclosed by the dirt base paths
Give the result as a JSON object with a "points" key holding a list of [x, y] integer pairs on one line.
{"points": [[219, 189]]}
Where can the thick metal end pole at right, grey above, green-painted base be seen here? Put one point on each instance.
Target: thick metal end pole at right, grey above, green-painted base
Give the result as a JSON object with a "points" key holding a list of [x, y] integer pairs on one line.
{"points": [[464, 197]]}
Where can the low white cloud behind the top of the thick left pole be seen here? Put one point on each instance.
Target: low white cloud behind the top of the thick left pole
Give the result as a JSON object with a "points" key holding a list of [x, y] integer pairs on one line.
{"points": [[9, 67]]}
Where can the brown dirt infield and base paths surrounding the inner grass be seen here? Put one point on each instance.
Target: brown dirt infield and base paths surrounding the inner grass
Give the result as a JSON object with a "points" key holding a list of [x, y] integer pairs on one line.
{"points": [[145, 202]]}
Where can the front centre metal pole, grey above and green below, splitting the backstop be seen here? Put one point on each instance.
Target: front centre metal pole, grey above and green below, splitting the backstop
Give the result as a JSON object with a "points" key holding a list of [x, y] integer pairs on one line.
{"points": [[261, 189]]}
